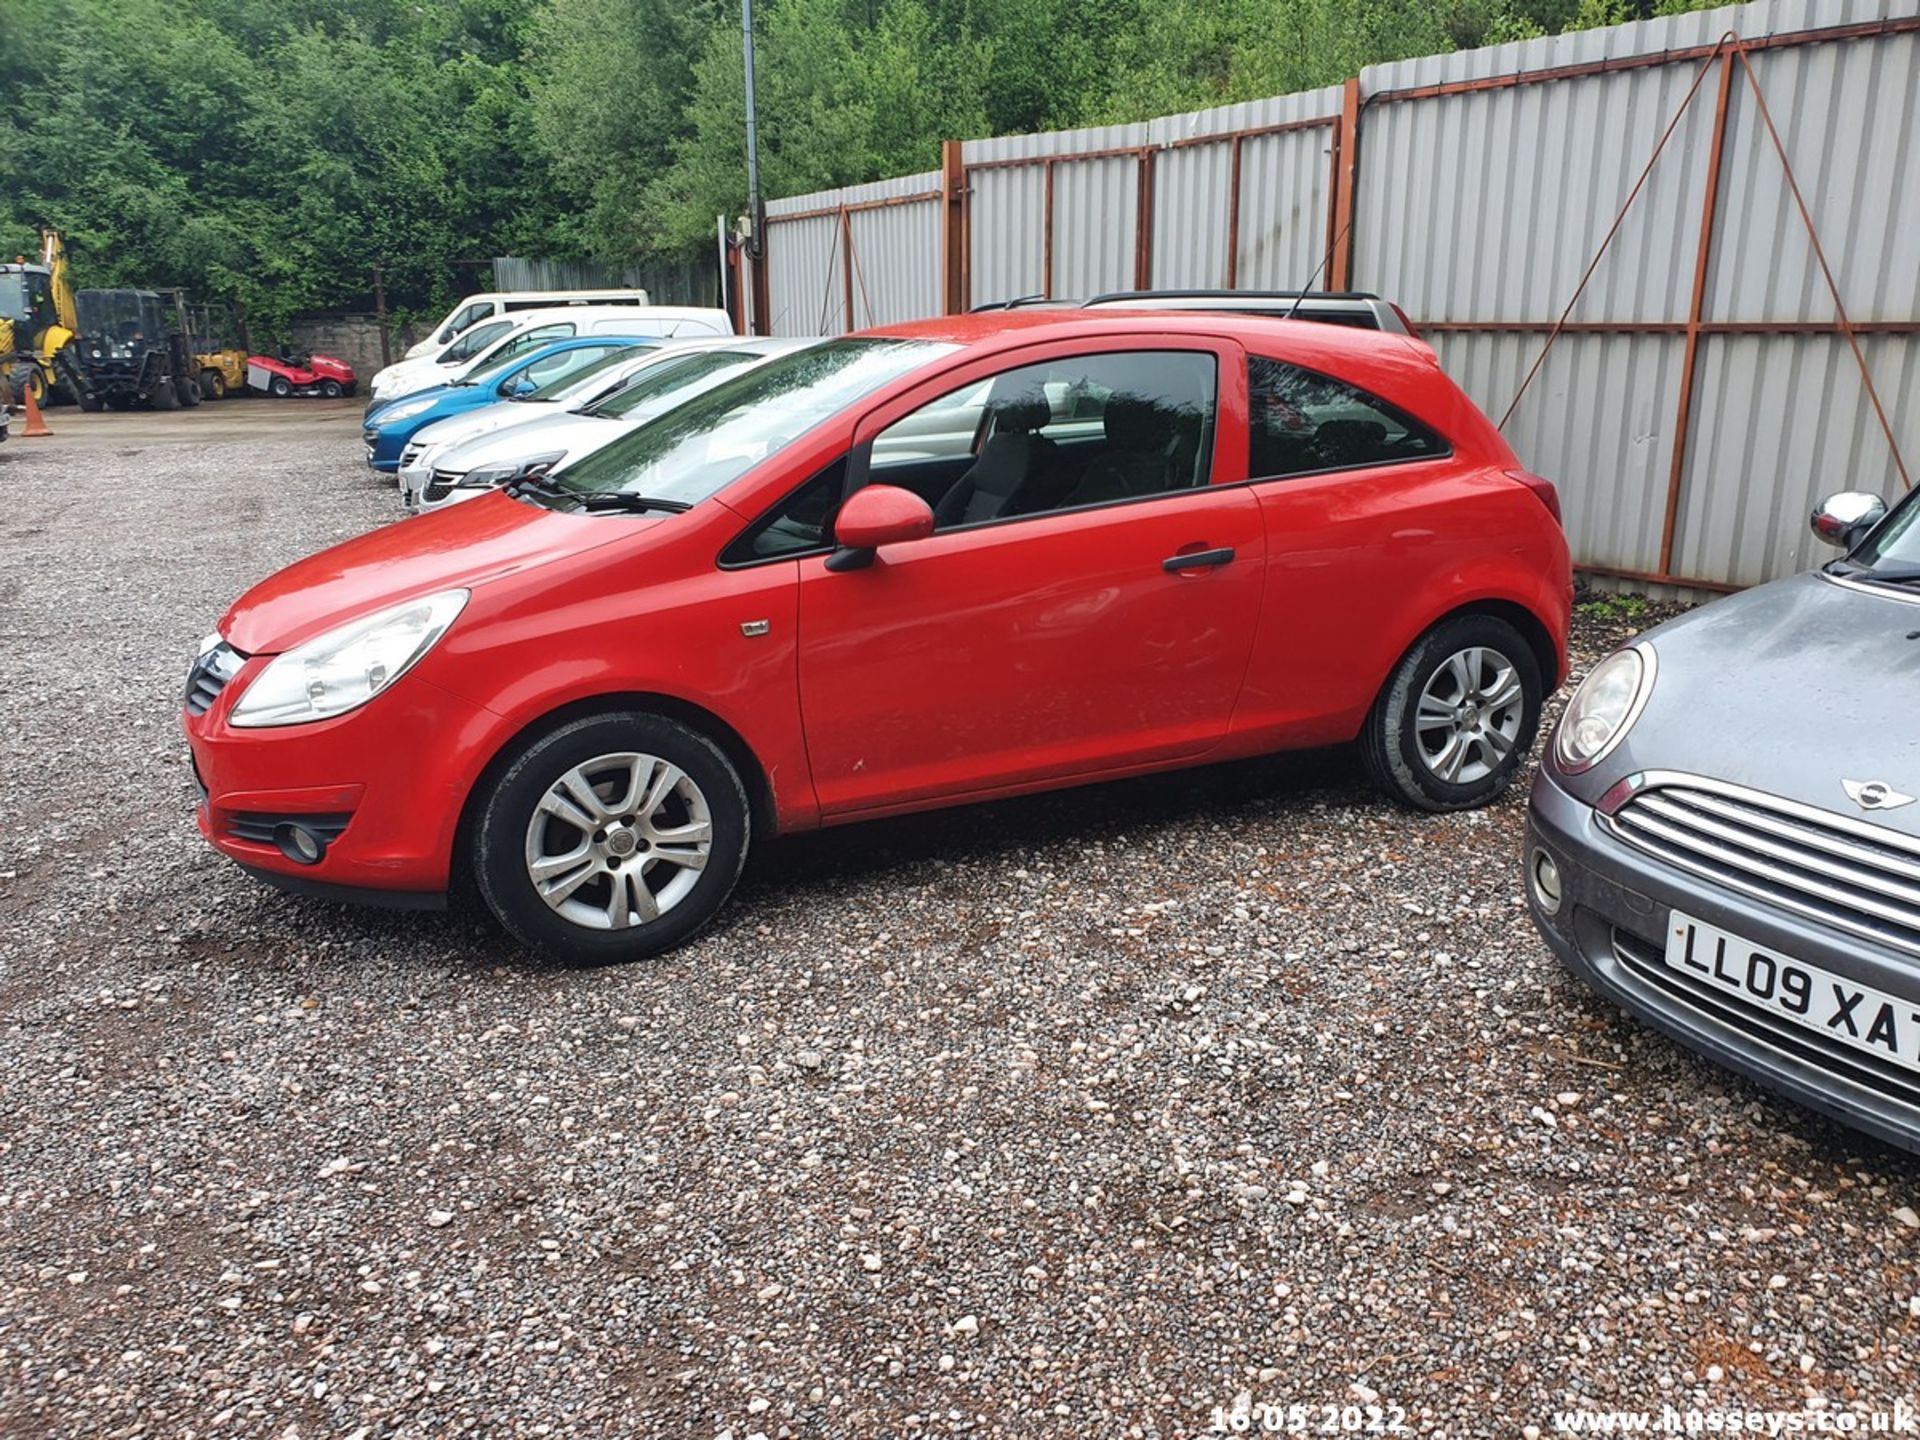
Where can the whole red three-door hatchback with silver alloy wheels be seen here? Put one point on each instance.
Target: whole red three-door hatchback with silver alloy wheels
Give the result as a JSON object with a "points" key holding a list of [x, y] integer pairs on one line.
{"points": [[905, 569]]}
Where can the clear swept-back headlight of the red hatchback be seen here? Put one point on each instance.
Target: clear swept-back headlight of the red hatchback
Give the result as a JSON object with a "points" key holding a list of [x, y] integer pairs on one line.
{"points": [[348, 665]]}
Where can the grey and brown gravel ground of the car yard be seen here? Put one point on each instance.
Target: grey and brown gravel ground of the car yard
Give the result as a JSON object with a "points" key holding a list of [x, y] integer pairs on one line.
{"points": [[1068, 1116]]}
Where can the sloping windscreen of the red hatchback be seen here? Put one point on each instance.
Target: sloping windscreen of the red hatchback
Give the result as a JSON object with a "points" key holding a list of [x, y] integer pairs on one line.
{"points": [[704, 446]]}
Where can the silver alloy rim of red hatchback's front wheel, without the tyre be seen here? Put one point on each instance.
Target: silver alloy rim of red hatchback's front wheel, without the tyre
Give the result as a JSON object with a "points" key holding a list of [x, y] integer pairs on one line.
{"points": [[619, 840]]}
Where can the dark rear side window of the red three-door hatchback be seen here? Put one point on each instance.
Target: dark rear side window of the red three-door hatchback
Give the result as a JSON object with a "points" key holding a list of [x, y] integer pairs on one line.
{"points": [[1305, 423]]}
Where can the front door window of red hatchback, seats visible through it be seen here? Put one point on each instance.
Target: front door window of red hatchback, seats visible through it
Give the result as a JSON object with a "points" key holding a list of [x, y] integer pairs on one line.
{"points": [[1059, 435]]}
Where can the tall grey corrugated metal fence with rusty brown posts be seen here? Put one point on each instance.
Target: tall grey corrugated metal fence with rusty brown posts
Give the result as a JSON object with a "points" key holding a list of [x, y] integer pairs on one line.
{"points": [[1702, 395]]}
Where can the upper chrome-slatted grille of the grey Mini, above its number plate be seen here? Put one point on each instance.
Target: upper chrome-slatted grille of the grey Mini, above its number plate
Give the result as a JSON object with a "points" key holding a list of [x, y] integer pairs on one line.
{"points": [[1844, 873]]}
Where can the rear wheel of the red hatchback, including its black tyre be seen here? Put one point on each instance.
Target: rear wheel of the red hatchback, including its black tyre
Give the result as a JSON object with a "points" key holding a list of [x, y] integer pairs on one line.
{"points": [[1458, 717]]}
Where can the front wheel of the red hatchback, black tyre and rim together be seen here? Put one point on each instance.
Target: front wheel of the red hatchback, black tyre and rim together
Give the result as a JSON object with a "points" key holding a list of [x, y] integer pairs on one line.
{"points": [[652, 788]]}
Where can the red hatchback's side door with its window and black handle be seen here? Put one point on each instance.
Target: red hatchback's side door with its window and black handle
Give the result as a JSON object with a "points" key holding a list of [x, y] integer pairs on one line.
{"points": [[1049, 629]]}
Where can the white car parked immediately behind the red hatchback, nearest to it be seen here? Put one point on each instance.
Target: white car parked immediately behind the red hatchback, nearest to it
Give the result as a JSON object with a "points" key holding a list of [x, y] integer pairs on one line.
{"points": [[556, 441]]}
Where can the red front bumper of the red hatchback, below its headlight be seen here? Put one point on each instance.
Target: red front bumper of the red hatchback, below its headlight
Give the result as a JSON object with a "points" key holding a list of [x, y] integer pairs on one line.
{"points": [[381, 788]]}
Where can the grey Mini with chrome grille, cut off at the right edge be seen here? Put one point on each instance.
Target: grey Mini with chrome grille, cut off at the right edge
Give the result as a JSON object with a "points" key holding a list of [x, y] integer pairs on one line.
{"points": [[1725, 834]]}
